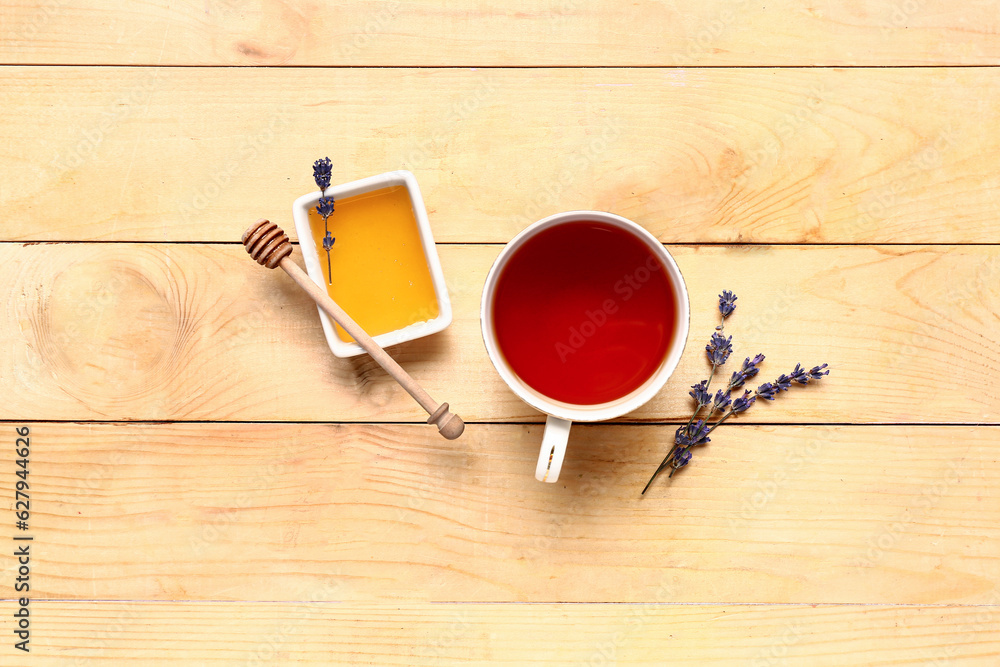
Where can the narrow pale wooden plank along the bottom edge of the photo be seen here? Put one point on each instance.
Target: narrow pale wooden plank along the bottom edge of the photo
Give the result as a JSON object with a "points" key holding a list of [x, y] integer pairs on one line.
{"points": [[258, 634]]}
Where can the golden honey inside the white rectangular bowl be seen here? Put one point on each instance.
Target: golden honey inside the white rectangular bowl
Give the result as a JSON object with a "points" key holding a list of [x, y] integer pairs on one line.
{"points": [[378, 272]]}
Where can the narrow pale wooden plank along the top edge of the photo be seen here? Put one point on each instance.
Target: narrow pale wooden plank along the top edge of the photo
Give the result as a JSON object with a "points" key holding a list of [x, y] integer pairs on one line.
{"points": [[512, 32]]}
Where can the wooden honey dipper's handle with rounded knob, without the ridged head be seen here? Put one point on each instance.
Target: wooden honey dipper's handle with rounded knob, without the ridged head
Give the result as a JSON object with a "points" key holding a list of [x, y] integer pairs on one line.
{"points": [[449, 424]]}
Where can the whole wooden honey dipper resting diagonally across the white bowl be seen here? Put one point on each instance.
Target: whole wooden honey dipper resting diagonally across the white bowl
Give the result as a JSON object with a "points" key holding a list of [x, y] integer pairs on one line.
{"points": [[269, 246]]}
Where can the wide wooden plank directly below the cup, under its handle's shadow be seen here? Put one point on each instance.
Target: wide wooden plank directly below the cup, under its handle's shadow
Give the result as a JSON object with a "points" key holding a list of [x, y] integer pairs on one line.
{"points": [[271, 512]]}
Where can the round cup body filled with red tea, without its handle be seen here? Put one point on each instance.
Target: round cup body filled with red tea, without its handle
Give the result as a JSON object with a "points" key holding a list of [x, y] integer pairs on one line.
{"points": [[585, 315]]}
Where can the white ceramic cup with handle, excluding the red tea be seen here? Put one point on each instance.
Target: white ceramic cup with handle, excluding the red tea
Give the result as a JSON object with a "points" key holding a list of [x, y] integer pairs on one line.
{"points": [[560, 414]]}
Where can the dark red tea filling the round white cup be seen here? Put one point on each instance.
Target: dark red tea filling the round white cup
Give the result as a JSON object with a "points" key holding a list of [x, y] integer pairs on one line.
{"points": [[584, 312]]}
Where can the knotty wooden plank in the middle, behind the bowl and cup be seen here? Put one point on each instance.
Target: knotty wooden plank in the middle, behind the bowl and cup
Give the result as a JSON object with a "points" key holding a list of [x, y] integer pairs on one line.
{"points": [[133, 331]]}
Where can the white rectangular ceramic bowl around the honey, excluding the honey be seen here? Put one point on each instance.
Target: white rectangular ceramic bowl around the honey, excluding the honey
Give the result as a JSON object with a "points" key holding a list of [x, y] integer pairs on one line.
{"points": [[300, 213]]}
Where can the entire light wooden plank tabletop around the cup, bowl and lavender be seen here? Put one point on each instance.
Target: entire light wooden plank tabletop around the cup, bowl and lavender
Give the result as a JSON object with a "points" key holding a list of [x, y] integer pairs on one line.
{"points": [[210, 485]]}
